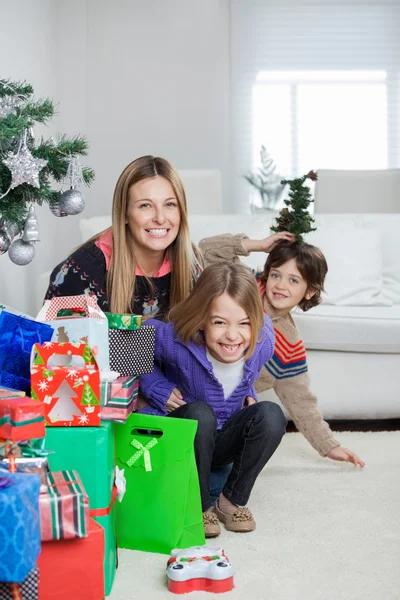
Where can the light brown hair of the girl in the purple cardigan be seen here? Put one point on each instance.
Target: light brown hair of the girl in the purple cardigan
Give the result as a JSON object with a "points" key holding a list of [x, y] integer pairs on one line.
{"points": [[190, 316]]}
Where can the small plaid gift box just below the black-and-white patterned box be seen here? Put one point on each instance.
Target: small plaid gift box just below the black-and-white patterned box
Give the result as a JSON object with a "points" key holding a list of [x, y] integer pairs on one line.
{"points": [[118, 397]]}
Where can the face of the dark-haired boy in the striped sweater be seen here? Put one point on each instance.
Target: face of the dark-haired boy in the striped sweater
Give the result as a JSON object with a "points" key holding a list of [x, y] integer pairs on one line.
{"points": [[285, 288]]}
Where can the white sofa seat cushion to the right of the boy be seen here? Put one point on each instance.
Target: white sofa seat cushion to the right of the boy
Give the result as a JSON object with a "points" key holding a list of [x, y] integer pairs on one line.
{"points": [[351, 328]]}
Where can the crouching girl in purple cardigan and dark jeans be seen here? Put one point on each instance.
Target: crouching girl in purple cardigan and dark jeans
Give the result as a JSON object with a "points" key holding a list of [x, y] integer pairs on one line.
{"points": [[212, 349]]}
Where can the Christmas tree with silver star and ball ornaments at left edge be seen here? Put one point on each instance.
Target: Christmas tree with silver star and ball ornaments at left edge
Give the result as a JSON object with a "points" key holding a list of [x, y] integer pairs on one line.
{"points": [[29, 168]]}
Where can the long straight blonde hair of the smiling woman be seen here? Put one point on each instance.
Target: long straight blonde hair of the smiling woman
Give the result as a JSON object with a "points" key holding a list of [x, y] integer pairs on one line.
{"points": [[185, 259]]}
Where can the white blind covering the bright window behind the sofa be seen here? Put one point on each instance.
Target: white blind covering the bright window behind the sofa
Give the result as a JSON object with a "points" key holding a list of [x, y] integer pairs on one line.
{"points": [[337, 58]]}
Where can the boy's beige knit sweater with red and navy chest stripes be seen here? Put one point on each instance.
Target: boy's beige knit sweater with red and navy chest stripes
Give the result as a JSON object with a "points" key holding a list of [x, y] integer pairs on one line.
{"points": [[286, 372]]}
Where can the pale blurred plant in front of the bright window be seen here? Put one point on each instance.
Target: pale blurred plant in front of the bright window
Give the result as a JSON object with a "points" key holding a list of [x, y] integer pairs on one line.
{"points": [[266, 181]]}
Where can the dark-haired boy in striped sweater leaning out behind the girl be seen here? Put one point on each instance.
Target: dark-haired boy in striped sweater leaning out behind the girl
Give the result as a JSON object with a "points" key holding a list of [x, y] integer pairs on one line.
{"points": [[293, 275]]}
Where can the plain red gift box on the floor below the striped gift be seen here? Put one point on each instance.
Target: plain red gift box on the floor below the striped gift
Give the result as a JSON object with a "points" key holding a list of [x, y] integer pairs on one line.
{"points": [[73, 569]]}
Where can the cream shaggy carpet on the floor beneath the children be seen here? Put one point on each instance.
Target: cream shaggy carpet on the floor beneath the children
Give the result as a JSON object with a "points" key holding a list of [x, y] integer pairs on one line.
{"points": [[325, 530]]}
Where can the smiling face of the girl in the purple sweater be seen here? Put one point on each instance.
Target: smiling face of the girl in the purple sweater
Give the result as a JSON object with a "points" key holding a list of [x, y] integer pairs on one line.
{"points": [[227, 331]]}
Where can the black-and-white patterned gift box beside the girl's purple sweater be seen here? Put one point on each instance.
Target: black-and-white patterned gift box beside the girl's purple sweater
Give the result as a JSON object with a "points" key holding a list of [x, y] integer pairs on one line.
{"points": [[132, 352]]}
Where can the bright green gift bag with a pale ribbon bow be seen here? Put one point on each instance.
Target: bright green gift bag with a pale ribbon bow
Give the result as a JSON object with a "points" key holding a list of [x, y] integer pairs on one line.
{"points": [[161, 507]]}
